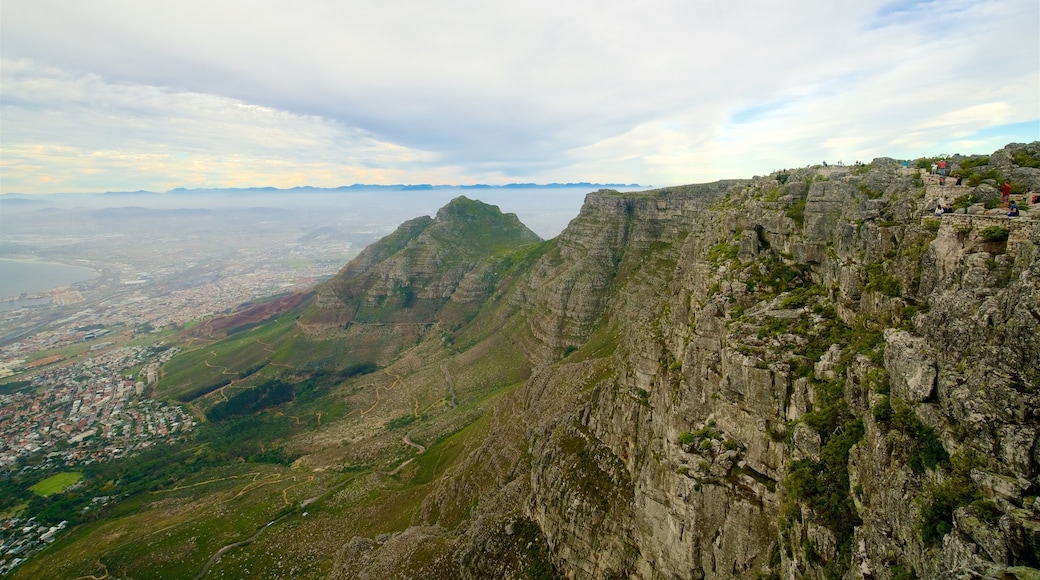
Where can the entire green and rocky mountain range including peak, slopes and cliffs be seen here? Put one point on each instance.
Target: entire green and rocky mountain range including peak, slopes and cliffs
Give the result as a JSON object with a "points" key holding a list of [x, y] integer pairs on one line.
{"points": [[802, 375]]}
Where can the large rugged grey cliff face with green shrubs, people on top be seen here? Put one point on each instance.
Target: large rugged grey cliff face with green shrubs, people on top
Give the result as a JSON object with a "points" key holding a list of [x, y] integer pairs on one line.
{"points": [[803, 375]]}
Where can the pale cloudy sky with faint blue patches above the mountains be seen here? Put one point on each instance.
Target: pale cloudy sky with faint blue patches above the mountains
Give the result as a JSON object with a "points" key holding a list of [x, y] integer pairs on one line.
{"points": [[127, 95]]}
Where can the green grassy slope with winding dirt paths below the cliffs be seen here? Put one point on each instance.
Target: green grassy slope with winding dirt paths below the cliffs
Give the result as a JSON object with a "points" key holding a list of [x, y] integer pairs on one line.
{"points": [[174, 531]]}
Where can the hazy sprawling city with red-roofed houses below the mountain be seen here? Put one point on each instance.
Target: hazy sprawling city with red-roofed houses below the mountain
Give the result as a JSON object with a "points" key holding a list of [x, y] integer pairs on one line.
{"points": [[77, 362]]}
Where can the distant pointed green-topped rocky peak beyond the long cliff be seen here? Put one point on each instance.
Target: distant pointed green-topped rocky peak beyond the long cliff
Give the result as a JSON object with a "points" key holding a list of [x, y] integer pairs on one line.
{"points": [[429, 272]]}
